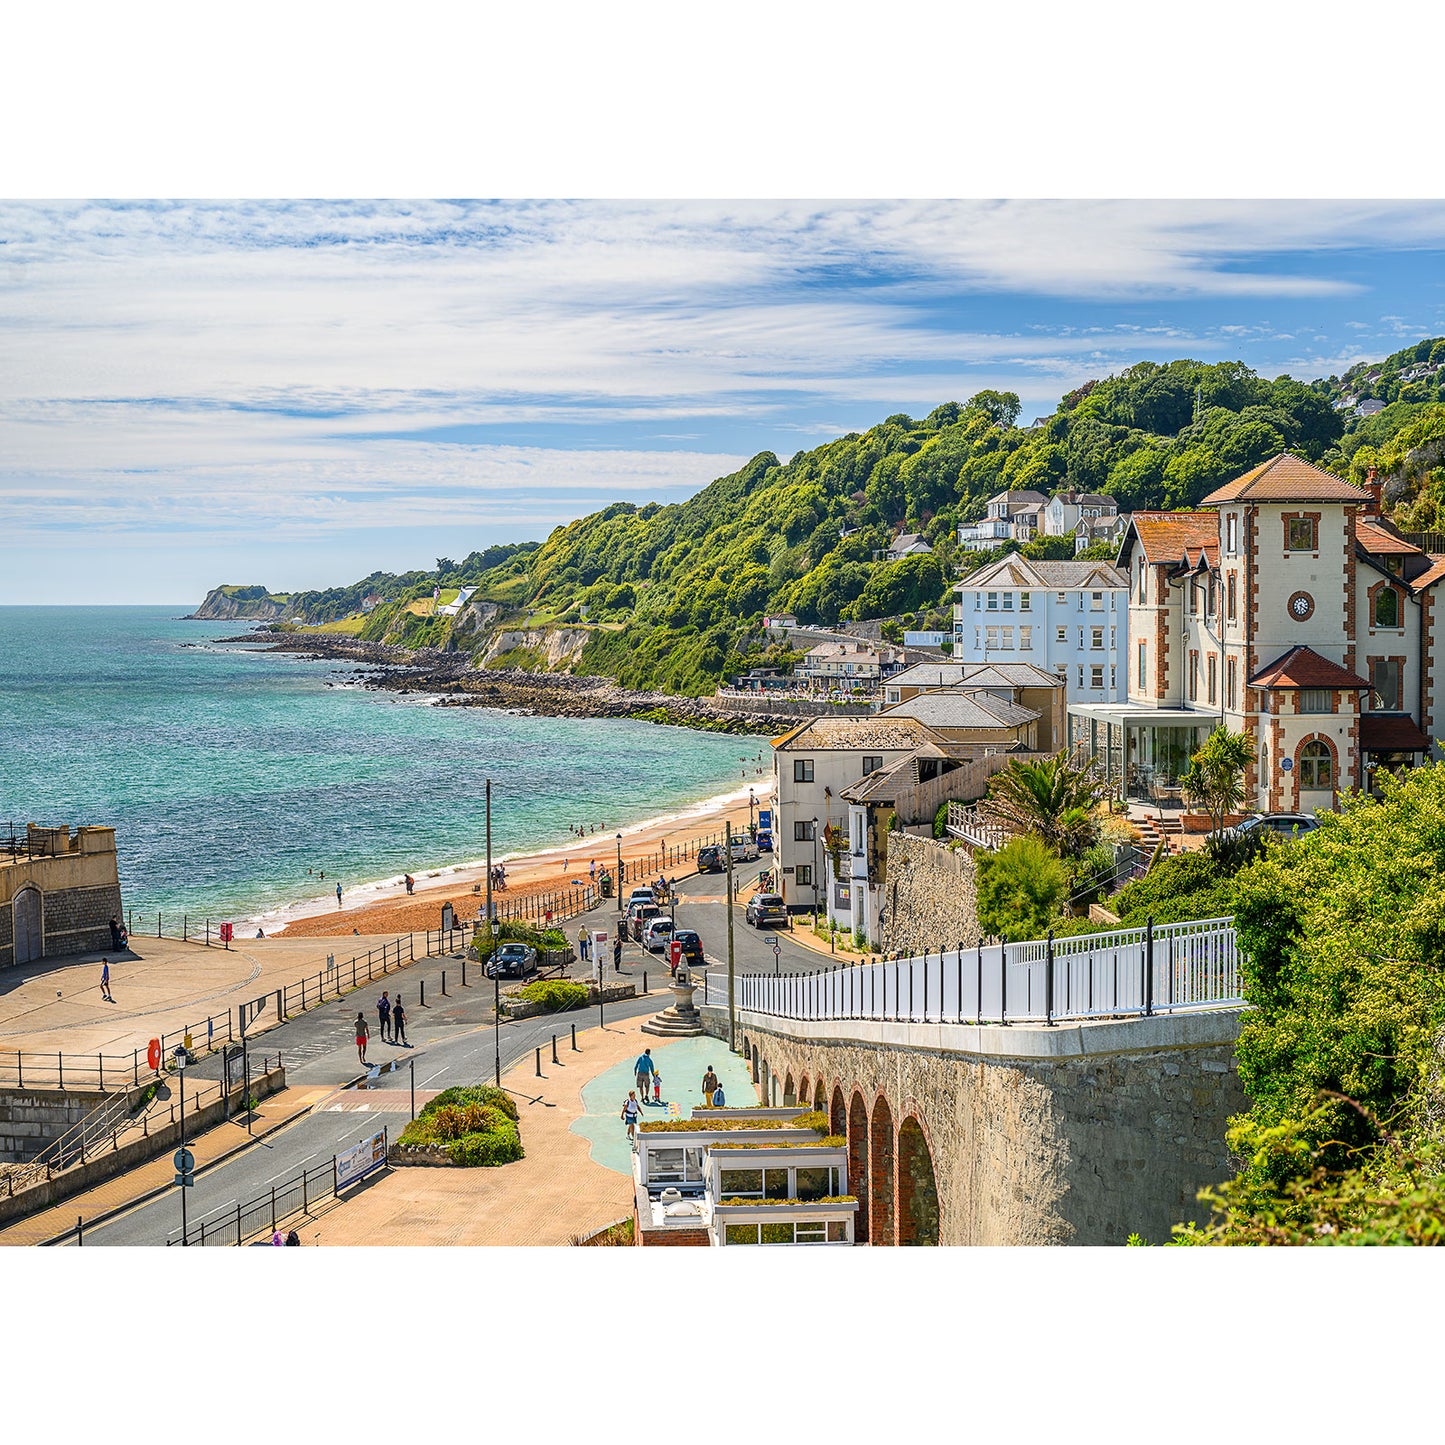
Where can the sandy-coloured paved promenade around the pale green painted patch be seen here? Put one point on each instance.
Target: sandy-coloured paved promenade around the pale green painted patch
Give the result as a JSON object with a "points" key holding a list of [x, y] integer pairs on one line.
{"points": [[558, 1191]]}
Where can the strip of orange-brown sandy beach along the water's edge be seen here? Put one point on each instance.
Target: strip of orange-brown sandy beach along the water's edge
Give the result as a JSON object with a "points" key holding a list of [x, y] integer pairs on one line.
{"points": [[385, 908]]}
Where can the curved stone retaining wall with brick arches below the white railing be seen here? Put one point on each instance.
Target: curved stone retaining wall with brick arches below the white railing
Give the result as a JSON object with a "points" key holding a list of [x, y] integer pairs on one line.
{"points": [[1076, 1135]]}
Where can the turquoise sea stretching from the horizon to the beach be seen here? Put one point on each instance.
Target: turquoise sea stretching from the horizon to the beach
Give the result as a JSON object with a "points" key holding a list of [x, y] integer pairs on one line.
{"points": [[229, 772]]}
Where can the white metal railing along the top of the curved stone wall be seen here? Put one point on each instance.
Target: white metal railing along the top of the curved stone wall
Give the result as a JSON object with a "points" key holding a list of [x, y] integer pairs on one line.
{"points": [[1093, 976]]}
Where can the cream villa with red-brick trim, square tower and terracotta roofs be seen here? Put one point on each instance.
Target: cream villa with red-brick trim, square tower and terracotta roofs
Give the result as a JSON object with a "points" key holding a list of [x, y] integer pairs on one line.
{"points": [[1290, 609]]}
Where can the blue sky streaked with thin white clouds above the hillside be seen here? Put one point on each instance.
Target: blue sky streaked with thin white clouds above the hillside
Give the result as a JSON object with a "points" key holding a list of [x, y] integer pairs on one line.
{"points": [[297, 394]]}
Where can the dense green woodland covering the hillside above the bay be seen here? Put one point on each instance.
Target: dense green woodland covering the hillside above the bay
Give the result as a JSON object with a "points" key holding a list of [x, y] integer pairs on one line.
{"points": [[674, 596]]}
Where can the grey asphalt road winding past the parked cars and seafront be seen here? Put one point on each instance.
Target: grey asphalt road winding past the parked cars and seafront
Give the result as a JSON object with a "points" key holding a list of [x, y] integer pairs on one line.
{"points": [[453, 1041]]}
